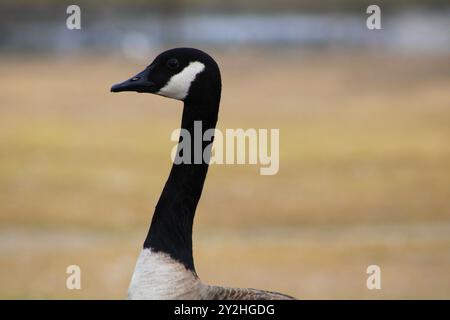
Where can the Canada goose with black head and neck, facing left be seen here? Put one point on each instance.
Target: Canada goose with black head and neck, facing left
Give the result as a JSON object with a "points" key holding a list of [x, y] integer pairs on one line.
{"points": [[165, 268]]}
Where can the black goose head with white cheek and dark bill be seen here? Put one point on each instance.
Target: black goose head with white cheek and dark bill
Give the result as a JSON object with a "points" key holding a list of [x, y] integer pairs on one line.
{"points": [[184, 74]]}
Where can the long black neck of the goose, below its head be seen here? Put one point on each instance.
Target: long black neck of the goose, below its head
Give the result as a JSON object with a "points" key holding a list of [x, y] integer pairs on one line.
{"points": [[171, 228]]}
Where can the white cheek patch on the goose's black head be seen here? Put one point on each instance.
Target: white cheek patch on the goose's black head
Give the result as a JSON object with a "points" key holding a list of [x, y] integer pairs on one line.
{"points": [[178, 85]]}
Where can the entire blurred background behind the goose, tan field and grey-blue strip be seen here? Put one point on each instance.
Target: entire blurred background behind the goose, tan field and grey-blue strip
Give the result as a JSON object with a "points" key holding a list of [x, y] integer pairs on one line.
{"points": [[364, 126]]}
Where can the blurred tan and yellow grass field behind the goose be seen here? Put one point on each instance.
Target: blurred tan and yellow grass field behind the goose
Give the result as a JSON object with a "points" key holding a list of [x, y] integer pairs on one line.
{"points": [[364, 175]]}
